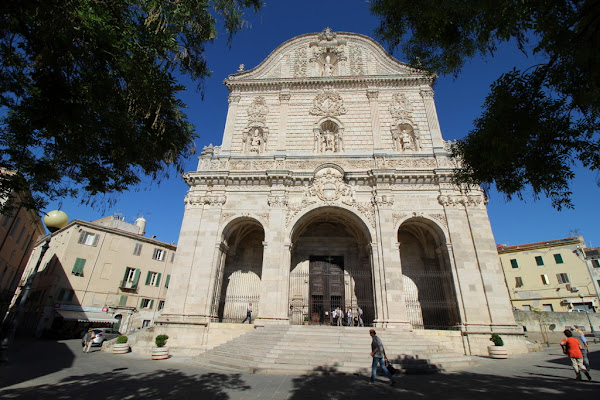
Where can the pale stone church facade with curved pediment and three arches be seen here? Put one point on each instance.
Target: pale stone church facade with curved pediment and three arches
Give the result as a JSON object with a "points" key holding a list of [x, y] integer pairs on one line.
{"points": [[332, 188]]}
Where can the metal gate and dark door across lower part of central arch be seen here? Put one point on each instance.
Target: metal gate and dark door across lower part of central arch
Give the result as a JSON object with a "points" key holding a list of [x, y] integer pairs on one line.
{"points": [[324, 286]]}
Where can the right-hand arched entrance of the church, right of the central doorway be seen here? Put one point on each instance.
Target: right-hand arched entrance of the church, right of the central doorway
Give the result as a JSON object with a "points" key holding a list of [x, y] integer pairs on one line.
{"points": [[429, 293]]}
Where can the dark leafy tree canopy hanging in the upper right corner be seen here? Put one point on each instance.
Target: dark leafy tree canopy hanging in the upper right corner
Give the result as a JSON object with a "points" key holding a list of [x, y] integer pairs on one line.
{"points": [[538, 123]]}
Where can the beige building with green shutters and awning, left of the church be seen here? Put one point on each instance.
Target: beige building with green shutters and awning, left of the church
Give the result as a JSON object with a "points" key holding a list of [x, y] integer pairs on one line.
{"points": [[101, 273]]}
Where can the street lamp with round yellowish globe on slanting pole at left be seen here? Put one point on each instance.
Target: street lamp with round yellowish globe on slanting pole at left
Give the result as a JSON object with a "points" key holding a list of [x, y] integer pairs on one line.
{"points": [[54, 220]]}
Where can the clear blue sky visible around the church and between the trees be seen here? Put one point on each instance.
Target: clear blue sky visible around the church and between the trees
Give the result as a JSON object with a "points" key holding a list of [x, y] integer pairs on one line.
{"points": [[458, 102]]}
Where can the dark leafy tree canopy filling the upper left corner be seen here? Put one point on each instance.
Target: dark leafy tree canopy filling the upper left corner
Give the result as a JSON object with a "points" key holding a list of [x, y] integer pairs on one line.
{"points": [[88, 93]]}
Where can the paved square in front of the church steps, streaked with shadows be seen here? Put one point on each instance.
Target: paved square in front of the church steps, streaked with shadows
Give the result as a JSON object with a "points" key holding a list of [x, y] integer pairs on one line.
{"points": [[59, 370]]}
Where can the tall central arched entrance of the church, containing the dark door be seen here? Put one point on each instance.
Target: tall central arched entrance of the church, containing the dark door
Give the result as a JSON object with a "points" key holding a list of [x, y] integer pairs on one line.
{"points": [[330, 267]]}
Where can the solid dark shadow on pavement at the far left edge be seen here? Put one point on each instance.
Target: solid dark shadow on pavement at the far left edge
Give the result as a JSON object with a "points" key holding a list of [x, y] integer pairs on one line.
{"points": [[50, 356]]}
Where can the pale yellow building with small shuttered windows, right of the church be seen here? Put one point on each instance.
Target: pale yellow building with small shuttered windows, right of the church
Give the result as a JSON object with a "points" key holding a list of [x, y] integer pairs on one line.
{"points": [[551, 276]]}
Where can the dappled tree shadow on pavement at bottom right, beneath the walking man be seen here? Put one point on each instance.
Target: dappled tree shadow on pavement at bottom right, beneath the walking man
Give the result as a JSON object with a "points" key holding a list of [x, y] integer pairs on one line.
{"points": [[536, 382]]}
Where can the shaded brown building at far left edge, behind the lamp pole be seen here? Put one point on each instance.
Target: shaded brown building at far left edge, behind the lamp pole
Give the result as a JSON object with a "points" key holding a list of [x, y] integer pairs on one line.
{"points": [[18, 235]]}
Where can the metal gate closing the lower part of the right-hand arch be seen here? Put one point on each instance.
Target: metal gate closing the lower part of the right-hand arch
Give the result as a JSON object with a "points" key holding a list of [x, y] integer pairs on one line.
{"points": [[430, 299]]}
